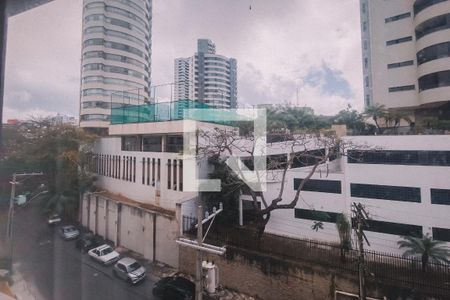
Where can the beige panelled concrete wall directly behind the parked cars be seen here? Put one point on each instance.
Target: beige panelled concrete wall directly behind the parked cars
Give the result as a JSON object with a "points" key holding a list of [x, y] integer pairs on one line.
{"points": [[146, 232]]}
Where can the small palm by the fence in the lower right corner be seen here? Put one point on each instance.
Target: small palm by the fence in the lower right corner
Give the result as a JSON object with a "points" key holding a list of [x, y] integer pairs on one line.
{"points": [[426, 248]]}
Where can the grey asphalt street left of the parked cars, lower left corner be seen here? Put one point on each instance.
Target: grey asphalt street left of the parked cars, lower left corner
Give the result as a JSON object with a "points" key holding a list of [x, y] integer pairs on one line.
{"points": [[55, 269]]}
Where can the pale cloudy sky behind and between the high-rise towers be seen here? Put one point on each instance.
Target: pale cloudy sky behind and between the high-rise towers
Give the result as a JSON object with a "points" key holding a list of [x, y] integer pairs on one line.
{"points": [[282, 46]]}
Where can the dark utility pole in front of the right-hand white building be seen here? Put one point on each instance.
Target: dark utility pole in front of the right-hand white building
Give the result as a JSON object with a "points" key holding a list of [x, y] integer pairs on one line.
{"points": [[360, 218]]}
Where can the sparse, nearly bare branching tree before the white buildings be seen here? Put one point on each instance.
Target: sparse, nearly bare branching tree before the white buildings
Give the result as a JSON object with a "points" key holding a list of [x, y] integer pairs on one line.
{"points": [[222, 144]]}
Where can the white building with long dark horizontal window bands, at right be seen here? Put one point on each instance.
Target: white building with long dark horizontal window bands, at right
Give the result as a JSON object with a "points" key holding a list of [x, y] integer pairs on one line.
{"points": [[404, 186]]}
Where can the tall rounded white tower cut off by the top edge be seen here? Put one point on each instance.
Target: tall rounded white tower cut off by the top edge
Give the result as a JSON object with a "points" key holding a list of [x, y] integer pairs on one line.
{"points": [[116, 52]]}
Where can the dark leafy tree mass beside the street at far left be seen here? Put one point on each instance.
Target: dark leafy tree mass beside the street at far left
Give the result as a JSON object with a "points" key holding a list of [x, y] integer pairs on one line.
{"points": [[60, 151]]}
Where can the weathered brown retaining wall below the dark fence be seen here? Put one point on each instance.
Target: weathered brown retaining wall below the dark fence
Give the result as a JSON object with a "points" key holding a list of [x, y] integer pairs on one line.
{"points": [[300, 281]]}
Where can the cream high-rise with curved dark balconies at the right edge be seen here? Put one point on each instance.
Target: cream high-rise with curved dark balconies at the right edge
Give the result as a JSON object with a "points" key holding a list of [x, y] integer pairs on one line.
{"points": [[406, 56]]}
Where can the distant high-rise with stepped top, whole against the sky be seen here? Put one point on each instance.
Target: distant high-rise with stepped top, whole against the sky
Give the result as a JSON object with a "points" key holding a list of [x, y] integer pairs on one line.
{"points": [[207, 77]]}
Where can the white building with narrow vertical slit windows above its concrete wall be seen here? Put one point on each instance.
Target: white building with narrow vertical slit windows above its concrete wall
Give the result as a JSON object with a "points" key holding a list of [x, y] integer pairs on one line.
{"points": [[142, 187]]}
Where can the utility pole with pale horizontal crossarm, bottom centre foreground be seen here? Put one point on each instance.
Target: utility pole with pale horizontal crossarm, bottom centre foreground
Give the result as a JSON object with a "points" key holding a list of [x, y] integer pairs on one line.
{"points": [[201, 246]]}
